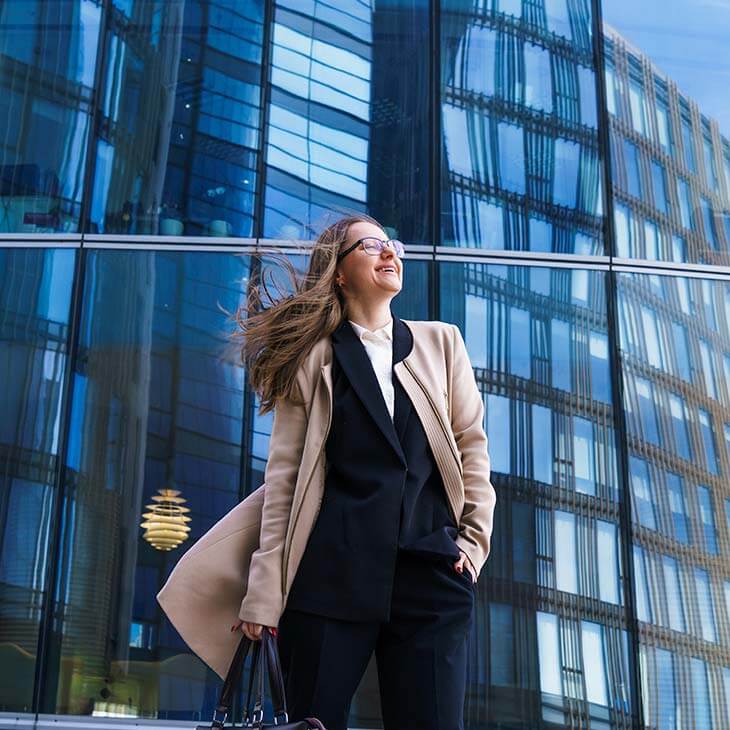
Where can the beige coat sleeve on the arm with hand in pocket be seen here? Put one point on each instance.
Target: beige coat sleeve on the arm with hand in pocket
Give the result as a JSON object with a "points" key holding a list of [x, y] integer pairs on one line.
{"points": [[467, 417]]}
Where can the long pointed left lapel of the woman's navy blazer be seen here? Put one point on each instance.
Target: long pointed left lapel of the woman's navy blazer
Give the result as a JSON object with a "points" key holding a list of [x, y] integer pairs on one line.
{"points": [[354, 360]]}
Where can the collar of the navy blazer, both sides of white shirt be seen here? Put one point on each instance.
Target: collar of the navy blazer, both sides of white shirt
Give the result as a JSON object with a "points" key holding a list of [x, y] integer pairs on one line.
{"points": [[353, 358]]}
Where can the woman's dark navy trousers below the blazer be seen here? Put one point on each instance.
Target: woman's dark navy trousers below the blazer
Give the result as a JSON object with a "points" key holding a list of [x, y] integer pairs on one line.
{"points": [[421, 651]]}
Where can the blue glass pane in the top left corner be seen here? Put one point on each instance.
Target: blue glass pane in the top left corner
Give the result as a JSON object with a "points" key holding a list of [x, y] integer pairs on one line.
{"points": [[48, 55]]}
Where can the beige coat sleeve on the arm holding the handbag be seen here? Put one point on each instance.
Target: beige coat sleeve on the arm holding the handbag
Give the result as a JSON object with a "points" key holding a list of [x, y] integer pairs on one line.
{"points": [[263, 602]]}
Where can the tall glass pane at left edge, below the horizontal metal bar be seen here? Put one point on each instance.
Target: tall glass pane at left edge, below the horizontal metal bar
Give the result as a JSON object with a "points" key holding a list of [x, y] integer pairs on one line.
{"points": [[35, 297]]}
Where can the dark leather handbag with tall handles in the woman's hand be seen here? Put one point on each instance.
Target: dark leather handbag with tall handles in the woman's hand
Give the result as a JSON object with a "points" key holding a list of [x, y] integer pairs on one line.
{"points": [[265, 652]]}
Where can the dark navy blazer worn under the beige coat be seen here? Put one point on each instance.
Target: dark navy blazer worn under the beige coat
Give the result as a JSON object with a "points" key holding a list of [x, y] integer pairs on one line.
{"points": [[383, 492]]}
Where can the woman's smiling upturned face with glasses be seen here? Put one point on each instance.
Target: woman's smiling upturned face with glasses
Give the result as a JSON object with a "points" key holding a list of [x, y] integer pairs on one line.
{"points": [[364, 275]]}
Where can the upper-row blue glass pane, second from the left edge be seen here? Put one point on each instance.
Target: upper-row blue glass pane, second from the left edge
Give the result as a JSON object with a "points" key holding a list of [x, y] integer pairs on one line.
{"points": [[180, 119]]}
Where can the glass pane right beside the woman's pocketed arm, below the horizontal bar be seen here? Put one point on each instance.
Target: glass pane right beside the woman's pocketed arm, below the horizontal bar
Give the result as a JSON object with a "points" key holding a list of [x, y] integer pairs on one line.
{"points": [[553, 463]]}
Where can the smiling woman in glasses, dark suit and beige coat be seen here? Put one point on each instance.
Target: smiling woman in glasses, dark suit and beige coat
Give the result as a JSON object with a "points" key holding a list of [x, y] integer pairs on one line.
{"points": [[377, 507]]}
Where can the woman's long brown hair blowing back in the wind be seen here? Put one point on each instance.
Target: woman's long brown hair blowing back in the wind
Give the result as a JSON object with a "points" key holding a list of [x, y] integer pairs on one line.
{"points": [[275, 340]]}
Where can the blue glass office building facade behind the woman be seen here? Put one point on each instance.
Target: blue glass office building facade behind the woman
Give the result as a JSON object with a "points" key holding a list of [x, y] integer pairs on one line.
{"points": [[560, 175]]}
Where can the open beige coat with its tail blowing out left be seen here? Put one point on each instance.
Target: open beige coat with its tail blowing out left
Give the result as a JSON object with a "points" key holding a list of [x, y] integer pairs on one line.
{"points": [[244, 566]]}
